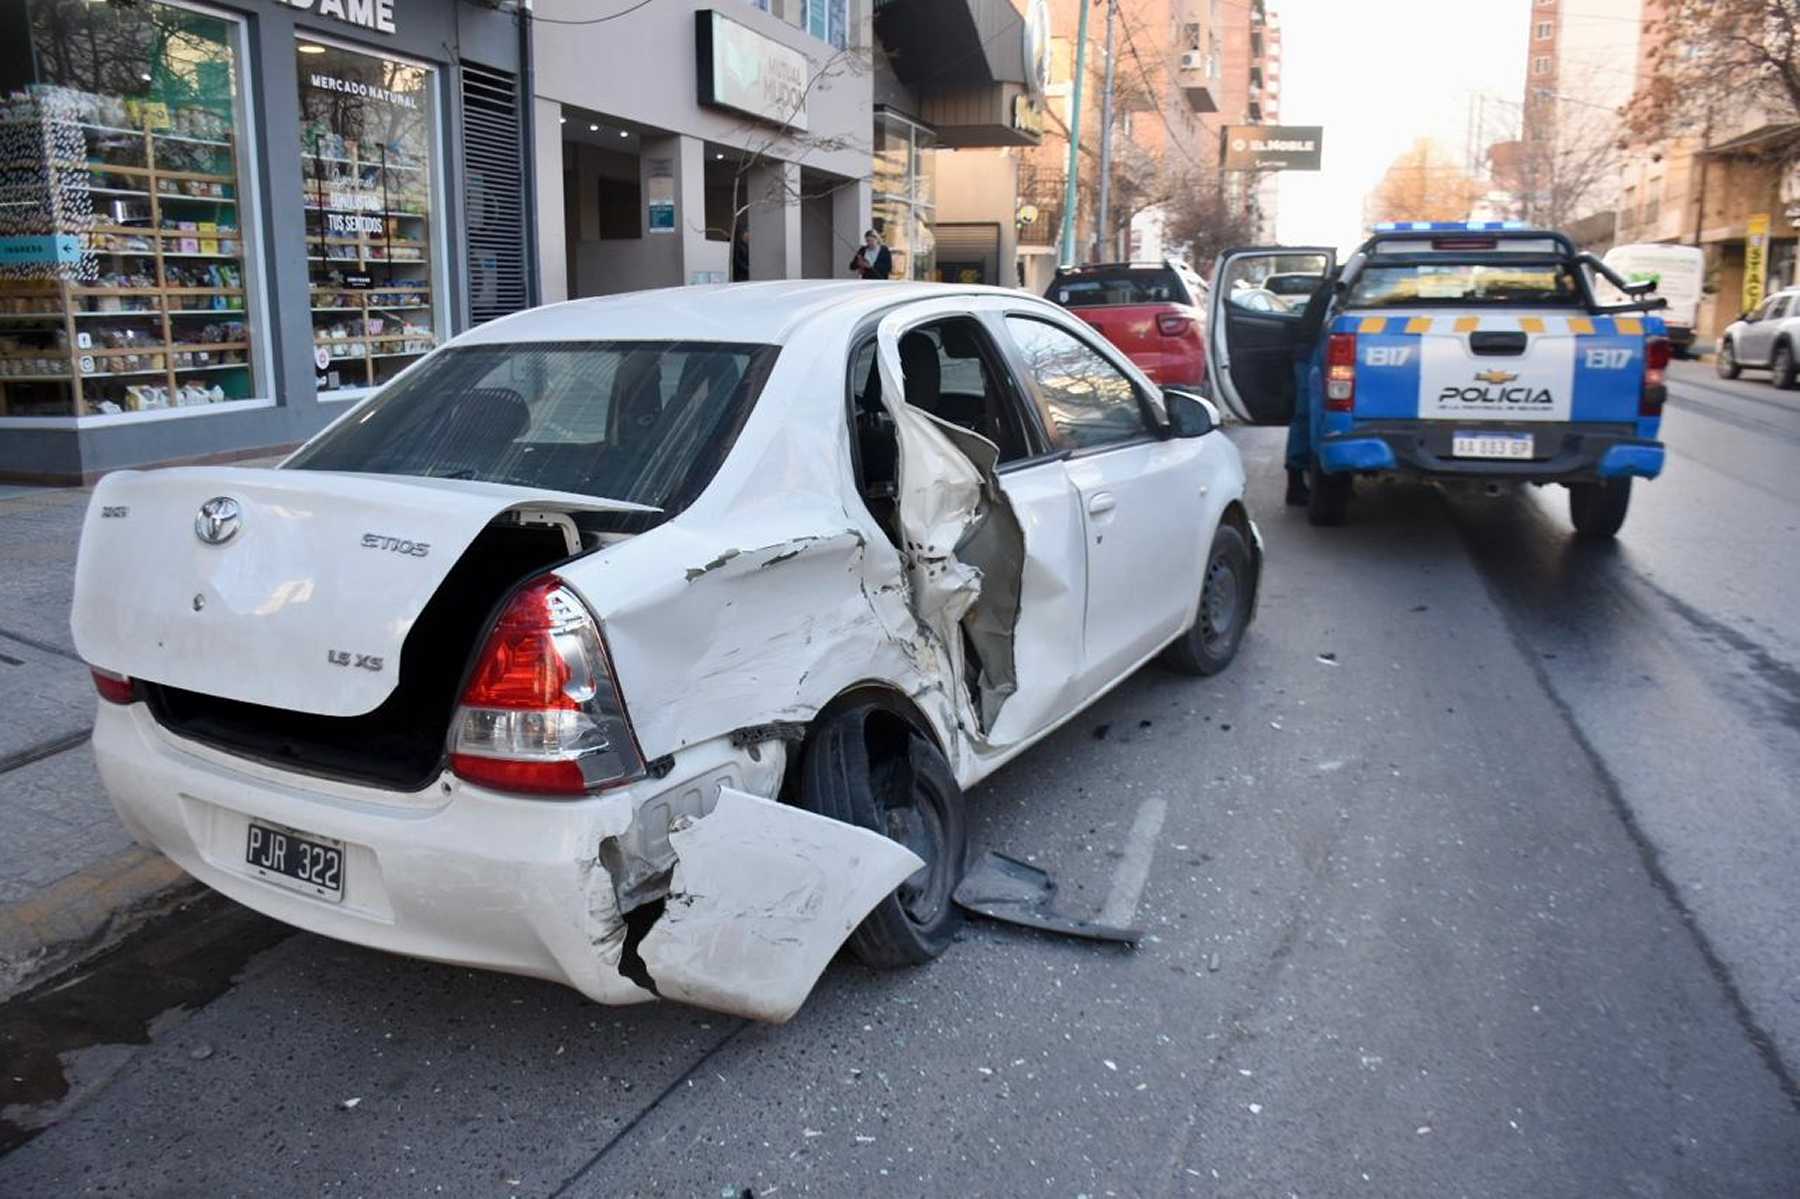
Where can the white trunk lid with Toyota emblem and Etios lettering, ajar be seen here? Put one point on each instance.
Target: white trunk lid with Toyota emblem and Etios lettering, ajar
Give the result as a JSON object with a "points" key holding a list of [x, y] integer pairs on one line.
{"points": [[291, 590]]}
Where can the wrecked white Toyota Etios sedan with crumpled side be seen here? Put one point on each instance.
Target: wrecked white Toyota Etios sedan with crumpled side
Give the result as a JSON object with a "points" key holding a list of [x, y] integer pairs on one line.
{"points": [[649, 644]]}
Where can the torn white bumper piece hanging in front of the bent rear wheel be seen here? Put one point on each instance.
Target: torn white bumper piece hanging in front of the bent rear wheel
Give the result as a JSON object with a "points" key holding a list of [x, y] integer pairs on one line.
{"points": [[762, 897]]}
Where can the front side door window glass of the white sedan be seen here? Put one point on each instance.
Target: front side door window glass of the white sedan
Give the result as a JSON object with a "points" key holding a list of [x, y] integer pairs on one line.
{"points": [[1086, 401]]}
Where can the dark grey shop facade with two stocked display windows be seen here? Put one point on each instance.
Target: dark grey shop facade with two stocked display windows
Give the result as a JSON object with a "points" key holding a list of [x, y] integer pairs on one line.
{"points": [[172, 289]]}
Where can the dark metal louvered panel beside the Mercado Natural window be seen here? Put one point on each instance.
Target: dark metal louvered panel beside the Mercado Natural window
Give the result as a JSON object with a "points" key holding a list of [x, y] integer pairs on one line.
{"points": [[494, 204]]}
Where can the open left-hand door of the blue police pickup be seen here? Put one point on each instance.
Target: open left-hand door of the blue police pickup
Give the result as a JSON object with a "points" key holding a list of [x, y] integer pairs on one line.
{"points": [[1257, 320]]}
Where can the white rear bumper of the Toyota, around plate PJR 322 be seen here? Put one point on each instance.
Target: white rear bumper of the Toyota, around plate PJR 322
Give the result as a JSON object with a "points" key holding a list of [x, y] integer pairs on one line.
{"points": [[454, 874]]}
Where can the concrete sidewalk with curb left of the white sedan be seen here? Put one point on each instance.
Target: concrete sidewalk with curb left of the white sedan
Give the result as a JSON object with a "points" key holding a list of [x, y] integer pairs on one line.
{"points": [[71, 879]]}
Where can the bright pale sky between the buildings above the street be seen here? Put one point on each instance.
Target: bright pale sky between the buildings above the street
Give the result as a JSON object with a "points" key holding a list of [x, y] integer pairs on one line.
{"points": [[1380, 75]]}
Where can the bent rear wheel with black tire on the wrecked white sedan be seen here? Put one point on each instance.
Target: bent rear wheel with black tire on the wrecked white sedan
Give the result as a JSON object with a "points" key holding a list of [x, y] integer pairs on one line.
{"points": [[910, 797]]}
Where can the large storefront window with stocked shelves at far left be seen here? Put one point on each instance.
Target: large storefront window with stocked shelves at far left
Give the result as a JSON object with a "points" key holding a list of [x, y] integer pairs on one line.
{"points": [[123, 267]]}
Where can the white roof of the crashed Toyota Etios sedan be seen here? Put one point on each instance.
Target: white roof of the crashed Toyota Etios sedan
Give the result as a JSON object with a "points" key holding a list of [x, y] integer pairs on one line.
{"points": [[766, 314]]}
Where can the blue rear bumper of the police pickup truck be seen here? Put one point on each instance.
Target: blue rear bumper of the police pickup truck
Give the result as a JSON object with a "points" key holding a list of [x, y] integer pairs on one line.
{"points": [[1569, 453]]}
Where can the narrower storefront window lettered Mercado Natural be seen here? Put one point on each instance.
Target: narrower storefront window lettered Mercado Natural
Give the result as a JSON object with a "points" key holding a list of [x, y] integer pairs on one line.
{"points": [[368, 131]]}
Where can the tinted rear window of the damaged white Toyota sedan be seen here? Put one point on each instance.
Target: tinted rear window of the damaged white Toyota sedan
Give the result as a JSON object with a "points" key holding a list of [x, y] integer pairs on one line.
{"points": [[643, 422]]}
